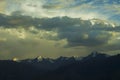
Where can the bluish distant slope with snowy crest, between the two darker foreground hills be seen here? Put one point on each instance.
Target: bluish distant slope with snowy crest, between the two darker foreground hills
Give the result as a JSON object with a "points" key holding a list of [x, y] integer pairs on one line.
{"points": [[49, 64]]}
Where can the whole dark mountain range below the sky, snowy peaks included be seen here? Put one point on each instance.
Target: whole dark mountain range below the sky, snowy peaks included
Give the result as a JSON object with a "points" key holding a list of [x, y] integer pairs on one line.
{"points": [[95, 66]]}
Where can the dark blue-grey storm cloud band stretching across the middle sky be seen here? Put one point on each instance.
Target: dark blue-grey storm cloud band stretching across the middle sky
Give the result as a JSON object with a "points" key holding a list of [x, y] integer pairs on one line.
{"points": [[77, 32]]}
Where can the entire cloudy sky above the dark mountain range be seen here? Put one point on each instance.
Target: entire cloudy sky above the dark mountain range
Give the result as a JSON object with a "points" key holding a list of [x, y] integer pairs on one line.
{"points": [[53, 28]]}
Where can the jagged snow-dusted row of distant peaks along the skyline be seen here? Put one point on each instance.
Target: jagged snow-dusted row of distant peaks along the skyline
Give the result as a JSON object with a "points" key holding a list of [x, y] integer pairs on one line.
{"points": [[94, 54]]}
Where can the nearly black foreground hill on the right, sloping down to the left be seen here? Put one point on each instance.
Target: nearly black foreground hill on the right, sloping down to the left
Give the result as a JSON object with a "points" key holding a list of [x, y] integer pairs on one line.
{"points": [[90, 68]]}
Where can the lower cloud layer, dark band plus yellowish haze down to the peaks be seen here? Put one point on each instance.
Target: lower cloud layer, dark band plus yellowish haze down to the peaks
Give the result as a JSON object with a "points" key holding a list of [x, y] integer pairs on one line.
{"points": [[24, 36]]}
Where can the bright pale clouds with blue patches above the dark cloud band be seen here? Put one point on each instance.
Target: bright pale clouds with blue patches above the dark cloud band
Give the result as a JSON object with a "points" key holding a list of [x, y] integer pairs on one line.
{"points": [[86, 9]]}
